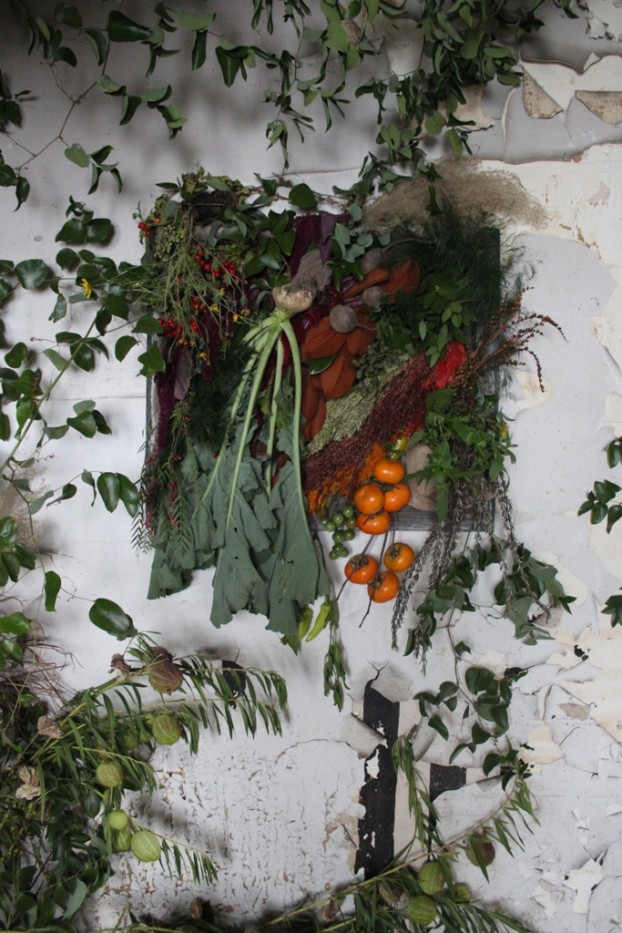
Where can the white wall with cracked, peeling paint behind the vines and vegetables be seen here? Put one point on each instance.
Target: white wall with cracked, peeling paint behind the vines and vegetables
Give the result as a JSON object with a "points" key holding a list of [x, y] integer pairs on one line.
{"points": [[281, 815]]}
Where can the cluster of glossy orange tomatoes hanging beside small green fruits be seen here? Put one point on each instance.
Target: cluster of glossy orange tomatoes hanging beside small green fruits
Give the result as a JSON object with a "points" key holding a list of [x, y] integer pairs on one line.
{"points": [[374, 503]]}
